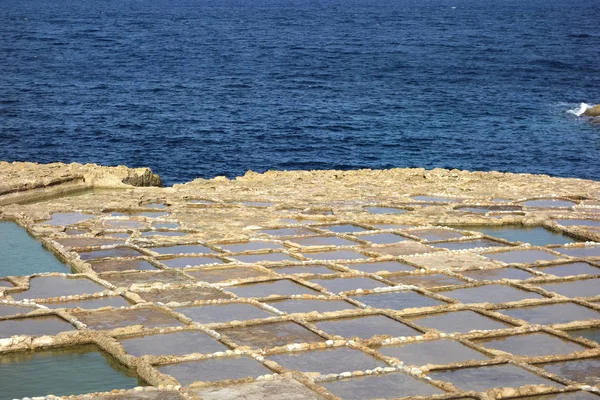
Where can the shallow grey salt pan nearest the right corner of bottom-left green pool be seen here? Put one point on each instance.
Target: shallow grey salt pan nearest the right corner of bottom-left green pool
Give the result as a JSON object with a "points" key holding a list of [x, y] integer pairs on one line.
{"points": [[215, 369]]}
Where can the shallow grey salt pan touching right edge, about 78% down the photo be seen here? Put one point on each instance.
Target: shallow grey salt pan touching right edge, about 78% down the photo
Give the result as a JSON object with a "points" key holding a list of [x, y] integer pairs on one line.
{"points": [[552, 313]]}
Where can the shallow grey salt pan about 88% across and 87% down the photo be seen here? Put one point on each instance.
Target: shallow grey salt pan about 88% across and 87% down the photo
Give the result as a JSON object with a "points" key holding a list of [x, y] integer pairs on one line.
{"points": [[531, 345]]}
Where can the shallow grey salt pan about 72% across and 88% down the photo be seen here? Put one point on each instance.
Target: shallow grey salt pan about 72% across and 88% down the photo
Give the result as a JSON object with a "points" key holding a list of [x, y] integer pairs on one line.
{"points": [[437, 352]]}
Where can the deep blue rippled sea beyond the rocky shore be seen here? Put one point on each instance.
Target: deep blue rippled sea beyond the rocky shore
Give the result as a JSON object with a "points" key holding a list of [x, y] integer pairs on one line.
{"points": [[200, 88]]}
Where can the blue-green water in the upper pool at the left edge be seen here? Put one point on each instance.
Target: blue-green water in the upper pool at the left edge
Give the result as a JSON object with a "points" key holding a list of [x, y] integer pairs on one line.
{"points": [[20, 254]]}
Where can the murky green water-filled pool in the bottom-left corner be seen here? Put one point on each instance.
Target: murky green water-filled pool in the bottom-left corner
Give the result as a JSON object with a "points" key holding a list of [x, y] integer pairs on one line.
{"points": [[62, 372]]}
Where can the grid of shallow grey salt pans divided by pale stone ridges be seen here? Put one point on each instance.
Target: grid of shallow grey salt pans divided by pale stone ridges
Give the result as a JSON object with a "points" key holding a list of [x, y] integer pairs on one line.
{"points": [[349, 311]]}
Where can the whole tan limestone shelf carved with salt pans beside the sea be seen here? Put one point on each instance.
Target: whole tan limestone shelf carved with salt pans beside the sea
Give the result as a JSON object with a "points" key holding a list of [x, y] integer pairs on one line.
{"points": [[302, 285]]}
